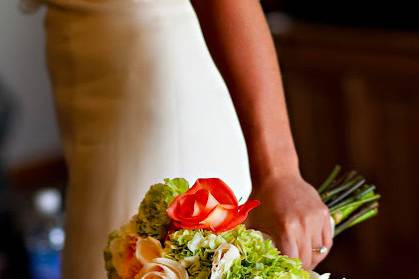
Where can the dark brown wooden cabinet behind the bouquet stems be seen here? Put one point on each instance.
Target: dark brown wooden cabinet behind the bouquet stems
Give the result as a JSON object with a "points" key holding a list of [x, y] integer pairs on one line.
{"points": [[353, 98]]}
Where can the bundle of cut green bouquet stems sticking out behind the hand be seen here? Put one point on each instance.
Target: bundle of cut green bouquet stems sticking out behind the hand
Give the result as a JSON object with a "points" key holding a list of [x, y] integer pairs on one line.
{"points": [[349, 198]]}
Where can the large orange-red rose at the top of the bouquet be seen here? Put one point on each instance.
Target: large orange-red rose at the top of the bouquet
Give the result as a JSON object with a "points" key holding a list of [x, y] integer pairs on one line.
{"points": [[209, 204]]}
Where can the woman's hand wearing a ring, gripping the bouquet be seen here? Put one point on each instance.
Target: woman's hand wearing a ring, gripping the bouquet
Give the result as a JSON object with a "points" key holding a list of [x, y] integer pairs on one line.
{"points": [[293, 214]]}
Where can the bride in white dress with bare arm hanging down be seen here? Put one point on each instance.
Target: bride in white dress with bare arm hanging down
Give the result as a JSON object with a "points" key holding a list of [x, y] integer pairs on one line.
{"points": [[140, 98]]}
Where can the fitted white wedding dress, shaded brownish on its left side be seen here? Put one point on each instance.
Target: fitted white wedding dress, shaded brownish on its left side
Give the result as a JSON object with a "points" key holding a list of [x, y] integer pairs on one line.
{"points": [[139, 99]]}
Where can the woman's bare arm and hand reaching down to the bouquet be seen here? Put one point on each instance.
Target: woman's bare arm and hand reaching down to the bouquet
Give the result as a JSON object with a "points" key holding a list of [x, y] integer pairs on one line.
{"points": [[239, 40]]}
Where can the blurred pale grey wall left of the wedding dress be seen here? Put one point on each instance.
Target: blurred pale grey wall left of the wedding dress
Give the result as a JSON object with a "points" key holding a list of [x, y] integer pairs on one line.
{"points": [[23, 70]]}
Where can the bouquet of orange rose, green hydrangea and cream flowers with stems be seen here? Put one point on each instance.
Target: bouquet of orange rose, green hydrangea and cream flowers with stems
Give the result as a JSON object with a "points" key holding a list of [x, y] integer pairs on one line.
{"points": [[181, 232]]}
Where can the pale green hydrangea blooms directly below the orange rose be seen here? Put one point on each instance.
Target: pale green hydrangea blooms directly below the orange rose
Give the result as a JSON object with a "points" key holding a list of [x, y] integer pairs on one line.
{"points": [[258, 257]]}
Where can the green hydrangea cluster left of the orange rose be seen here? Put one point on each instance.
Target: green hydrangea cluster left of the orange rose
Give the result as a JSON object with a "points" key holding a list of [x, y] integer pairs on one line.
{"points": [[152, 219]]}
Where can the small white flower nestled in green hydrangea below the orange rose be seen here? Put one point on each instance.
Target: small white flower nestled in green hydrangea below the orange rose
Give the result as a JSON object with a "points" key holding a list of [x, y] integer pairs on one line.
{"points": [[223, 259]]}
